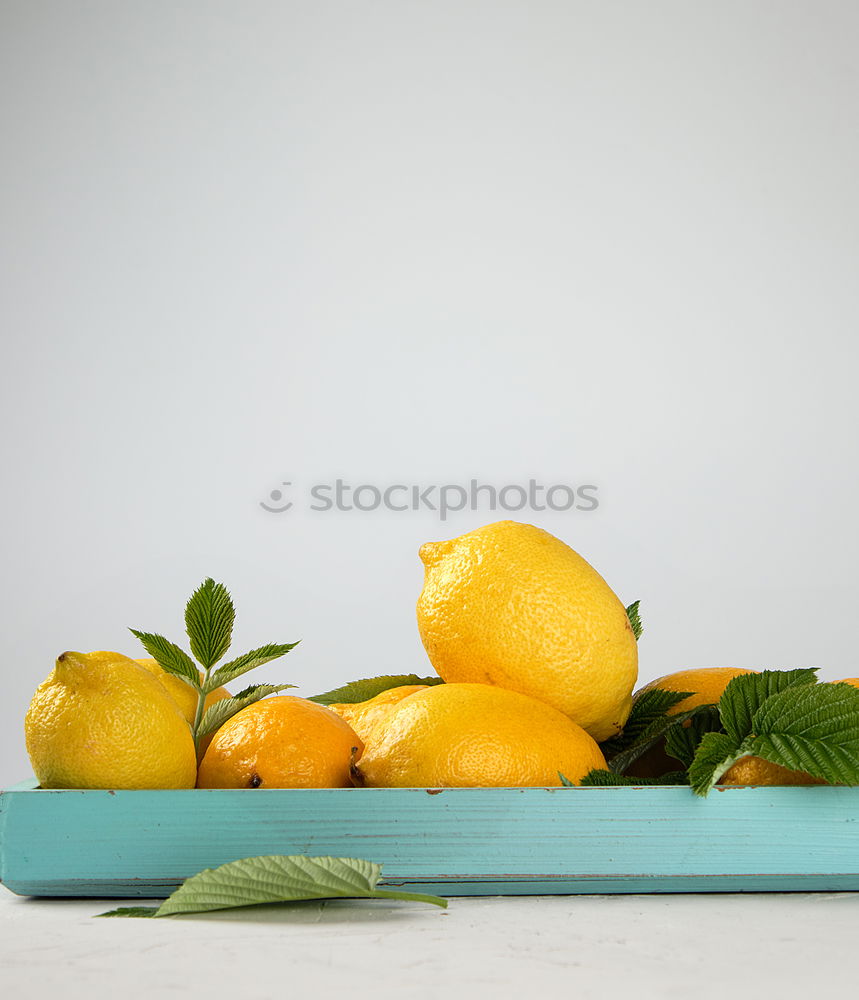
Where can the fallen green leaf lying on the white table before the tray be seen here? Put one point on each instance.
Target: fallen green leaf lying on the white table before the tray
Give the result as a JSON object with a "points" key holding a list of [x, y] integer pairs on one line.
{"points": [[280, 878]]}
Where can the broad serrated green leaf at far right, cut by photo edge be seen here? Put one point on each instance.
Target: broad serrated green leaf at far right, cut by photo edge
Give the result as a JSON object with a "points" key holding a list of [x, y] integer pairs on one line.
{"points": [[814, 728]]}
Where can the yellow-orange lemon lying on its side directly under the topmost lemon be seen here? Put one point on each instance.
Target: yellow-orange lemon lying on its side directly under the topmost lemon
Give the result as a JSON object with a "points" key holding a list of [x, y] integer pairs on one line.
{"points": [[472, 735]]}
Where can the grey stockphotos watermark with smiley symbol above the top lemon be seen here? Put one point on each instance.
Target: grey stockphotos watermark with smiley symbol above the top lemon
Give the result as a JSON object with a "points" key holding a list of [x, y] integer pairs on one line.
{"points": [[442, 499]]}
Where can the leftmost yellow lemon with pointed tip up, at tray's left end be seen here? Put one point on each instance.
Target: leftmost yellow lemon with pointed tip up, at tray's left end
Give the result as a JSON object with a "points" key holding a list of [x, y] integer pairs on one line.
{"points": [[100, 720]]}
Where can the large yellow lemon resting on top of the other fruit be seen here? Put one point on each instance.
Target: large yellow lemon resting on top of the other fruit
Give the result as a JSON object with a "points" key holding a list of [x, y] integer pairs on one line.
{"points": [[513, 606]]}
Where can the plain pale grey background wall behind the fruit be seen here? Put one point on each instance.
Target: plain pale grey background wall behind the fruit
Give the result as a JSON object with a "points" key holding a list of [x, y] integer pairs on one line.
{"points": [[608, 243]]}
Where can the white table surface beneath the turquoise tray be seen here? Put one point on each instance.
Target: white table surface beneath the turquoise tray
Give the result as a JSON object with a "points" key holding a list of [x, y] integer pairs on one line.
{"points": [[691, 946]]}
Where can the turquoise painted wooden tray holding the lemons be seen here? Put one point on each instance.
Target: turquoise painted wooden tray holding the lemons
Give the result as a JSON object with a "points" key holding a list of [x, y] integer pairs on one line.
{"points": [[456, 841]]}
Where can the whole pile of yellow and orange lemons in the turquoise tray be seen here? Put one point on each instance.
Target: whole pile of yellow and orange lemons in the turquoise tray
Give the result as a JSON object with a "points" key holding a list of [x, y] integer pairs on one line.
{"points": [[536, 652]]}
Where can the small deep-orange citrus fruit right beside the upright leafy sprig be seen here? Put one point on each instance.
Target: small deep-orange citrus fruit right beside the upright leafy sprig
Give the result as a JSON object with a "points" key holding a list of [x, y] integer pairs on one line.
{"points": [[283, 742]]}
